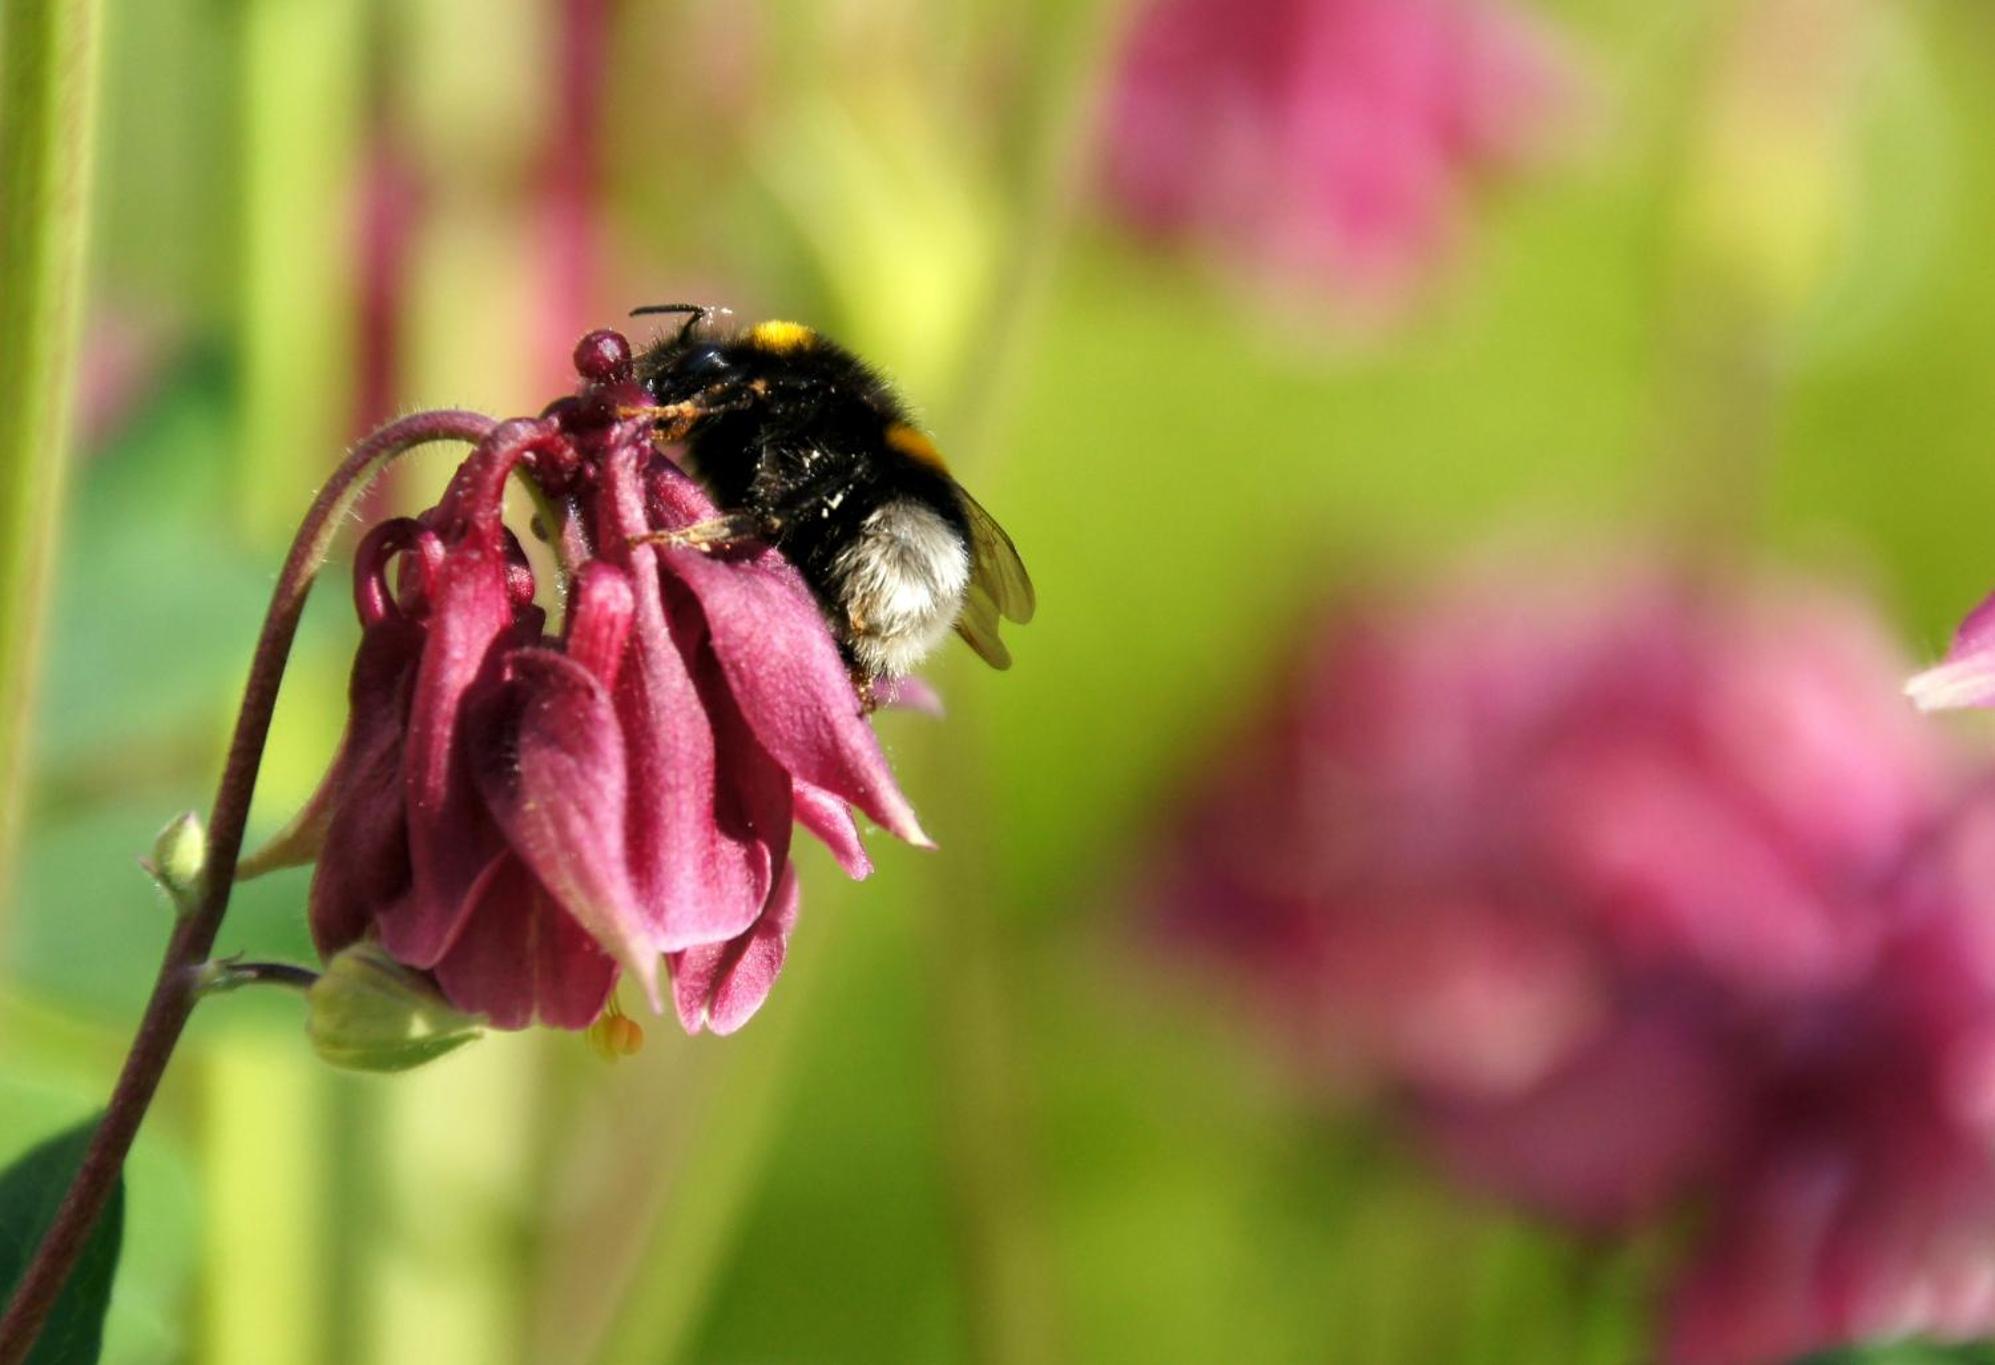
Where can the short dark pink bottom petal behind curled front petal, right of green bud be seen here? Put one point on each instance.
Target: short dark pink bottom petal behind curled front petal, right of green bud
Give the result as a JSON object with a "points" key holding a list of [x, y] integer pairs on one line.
{"points": [[518, 957]]}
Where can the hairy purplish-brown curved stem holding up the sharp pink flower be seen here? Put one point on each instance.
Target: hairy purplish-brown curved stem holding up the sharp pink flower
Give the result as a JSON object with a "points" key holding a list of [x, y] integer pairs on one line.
{"points": [[195, 937]]}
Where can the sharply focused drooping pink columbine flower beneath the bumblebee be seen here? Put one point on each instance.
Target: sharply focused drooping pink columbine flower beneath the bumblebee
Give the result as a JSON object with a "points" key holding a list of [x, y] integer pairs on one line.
{"points": [[528, 815]]}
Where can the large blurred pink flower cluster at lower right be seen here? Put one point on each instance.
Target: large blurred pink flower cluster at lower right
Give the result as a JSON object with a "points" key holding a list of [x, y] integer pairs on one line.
{"points": [[1633, 897]]}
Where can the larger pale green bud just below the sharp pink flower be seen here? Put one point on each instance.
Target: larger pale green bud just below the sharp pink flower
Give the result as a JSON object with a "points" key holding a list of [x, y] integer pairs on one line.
{"points": [[374, 1015]]}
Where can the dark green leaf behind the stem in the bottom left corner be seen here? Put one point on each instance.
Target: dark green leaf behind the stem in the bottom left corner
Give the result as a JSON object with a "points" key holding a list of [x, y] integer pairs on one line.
{"points": [[29, 1196]]}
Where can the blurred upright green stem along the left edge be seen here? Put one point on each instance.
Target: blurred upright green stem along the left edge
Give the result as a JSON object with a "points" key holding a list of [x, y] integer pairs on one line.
{"points": [[49, 65]]}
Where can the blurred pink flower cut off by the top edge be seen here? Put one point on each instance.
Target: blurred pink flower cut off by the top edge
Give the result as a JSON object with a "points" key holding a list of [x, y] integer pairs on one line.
{"points": [[1328, 143]]}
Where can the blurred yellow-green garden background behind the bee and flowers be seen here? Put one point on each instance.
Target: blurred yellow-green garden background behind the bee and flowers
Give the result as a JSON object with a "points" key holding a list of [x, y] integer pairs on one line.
{"points": [[973, 1121]]}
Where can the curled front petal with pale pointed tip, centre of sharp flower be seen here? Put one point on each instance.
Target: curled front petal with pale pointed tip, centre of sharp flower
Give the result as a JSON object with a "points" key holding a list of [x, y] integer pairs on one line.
{"points": [[552, 767]]}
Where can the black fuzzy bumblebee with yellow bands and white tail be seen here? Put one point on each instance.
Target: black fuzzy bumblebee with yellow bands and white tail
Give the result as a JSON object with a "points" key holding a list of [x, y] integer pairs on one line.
{"points": [[807, 448]]}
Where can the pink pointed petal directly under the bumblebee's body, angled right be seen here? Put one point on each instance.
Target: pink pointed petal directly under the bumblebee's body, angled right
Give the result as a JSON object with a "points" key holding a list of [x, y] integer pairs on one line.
{"points": [[785, 672]]}
